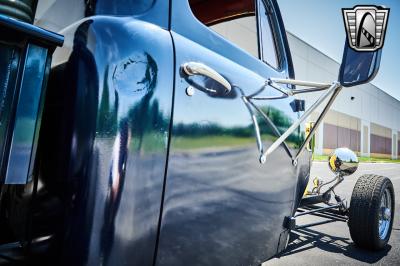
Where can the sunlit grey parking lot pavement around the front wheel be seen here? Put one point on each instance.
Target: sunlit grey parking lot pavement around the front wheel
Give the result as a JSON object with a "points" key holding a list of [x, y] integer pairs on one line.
{"points": [[330, 244]]}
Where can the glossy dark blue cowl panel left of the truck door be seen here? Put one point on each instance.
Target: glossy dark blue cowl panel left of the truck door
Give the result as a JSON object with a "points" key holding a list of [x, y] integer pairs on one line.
{"points": [[105, 137]]}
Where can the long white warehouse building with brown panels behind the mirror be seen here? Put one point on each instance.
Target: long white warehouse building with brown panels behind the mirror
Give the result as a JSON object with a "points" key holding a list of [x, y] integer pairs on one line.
{"points": [[363, 118]]}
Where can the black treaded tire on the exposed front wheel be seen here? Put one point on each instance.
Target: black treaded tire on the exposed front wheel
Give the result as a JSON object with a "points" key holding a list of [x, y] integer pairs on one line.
{"points": [[364, 211]]}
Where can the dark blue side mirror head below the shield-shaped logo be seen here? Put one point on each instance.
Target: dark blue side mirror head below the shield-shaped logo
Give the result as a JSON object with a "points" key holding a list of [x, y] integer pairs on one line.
{"points": [[358, 67]]}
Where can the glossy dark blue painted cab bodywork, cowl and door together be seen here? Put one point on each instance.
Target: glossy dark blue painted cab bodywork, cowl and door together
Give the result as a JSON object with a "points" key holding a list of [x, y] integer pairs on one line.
{"points": [[105, 173]]}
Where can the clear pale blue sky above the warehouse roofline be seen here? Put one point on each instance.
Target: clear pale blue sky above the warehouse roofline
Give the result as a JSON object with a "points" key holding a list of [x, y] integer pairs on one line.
{"points": [[320, 23]]}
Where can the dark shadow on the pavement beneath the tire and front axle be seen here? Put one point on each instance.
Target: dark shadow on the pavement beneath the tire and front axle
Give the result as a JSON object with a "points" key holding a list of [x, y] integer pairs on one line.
{"points": [[306, 239]]}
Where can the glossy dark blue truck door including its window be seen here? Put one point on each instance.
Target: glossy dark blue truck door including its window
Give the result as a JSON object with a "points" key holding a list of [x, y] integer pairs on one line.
{"points": [[221, 205]]}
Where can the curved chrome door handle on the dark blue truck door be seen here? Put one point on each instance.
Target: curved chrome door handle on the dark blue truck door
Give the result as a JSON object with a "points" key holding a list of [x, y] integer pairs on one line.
{"points": [[194, 68]]}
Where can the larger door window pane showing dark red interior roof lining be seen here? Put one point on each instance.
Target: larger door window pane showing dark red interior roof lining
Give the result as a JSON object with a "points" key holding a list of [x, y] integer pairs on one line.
{"points": [[234, 20]]}
